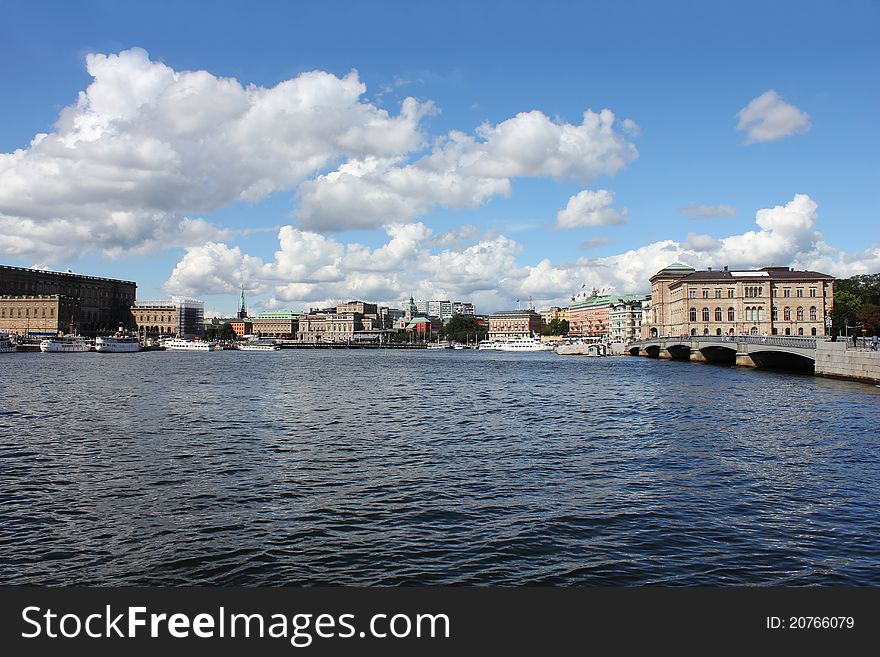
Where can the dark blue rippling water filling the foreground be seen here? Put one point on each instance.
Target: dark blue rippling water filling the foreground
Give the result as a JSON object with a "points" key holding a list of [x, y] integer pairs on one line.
{"points": [[431, 467]]}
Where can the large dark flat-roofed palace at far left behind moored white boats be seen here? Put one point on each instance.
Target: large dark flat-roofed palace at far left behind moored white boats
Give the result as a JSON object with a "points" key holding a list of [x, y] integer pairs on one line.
{"points": [[88, 304]]}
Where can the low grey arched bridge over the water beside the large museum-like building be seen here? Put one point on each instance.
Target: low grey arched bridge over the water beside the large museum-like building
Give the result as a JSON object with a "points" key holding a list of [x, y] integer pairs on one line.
{"points": [[790, 352]]}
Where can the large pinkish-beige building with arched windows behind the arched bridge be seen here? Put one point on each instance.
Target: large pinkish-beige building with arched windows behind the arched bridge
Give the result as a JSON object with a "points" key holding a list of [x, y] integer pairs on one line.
{"points": [[766, 301]]}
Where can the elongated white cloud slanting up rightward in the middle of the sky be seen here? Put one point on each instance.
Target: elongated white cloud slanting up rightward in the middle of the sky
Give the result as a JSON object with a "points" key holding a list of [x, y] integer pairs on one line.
{"points": [[464, 171]]}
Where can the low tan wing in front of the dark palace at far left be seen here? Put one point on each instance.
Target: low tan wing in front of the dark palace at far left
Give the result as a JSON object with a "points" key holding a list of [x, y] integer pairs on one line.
{"points": [[38, 315]]}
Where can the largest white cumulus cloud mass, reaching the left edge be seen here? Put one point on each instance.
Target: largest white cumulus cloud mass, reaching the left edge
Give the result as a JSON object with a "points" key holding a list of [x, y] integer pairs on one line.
{"points": [[144, 146]]}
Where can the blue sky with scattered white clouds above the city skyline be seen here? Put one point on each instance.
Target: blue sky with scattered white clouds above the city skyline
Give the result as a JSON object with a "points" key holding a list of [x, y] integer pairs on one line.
{"points": [[487, 152]]}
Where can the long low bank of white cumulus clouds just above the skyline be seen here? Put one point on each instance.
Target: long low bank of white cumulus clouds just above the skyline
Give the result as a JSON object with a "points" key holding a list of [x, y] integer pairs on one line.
{"points": [[311, 269]]}
